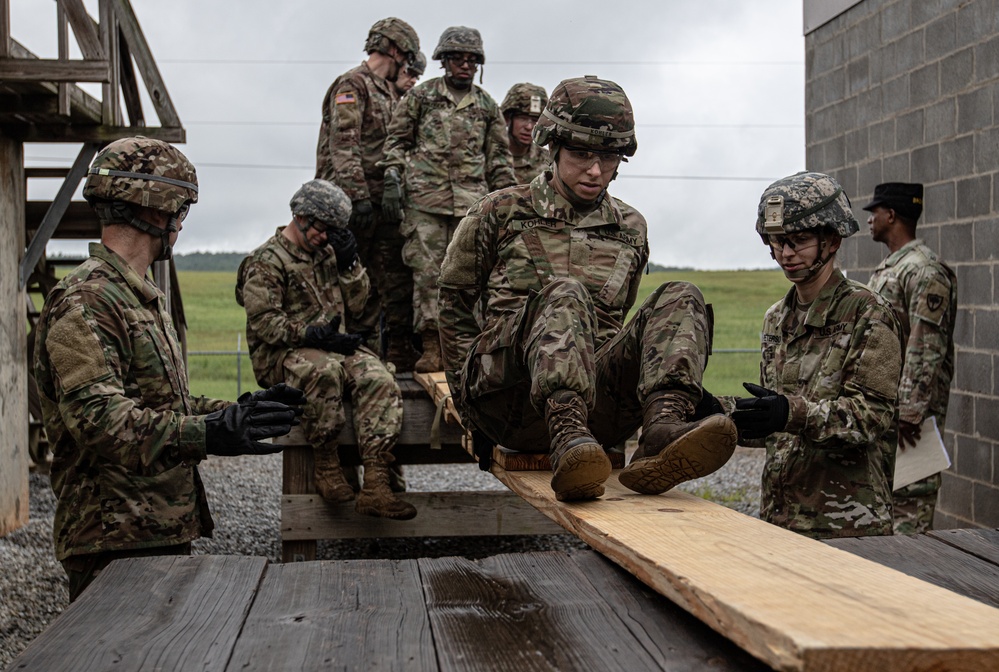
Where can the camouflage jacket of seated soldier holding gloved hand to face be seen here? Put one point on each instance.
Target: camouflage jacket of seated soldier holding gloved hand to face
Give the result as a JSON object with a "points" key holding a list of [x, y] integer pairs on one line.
{"points": [[284, 290]]}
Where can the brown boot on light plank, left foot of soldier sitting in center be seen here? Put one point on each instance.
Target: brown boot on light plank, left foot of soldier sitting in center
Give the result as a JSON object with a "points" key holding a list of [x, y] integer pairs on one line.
{"points": [[579, 463]]}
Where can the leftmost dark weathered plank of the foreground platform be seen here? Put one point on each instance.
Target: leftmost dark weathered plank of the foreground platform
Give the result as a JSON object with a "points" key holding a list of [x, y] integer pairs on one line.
{"points": [[156, 613]]}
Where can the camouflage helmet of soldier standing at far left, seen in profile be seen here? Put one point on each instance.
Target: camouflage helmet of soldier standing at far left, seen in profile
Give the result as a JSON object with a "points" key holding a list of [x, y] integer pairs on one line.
{"points": [[142, 171]]}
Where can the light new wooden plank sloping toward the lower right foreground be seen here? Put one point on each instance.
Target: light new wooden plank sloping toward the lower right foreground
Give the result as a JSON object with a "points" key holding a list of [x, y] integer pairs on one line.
{"points": [[793, 602]]}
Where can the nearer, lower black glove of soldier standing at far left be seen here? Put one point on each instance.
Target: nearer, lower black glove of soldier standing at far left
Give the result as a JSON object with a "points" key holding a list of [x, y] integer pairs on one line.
{"points": [[236, 430]]}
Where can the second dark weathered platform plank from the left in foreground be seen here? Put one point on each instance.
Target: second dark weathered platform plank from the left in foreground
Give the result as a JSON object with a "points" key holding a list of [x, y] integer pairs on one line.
{"points": [[343, 615]]}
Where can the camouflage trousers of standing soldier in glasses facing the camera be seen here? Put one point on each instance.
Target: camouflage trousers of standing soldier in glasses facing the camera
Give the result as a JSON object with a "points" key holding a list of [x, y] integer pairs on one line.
{"points": [[427, 236]]}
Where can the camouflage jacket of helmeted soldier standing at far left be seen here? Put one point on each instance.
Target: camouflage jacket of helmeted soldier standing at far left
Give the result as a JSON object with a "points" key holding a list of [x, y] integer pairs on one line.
{"points": [[125, 432]]}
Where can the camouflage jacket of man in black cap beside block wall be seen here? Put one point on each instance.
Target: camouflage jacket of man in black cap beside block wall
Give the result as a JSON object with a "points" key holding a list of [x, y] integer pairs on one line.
{"points": [[923, 292]]}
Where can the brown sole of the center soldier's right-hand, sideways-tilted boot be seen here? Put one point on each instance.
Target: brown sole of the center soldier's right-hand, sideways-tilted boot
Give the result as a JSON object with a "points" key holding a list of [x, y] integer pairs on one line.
{"points": [[699, 452]]}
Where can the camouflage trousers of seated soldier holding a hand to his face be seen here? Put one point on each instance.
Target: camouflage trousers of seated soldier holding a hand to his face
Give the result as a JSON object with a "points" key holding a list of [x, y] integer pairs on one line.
{"points": [[324, 377]]}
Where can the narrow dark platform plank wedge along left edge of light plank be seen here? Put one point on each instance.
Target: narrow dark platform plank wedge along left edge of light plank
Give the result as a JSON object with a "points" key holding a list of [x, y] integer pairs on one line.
{"points": [[676, 640]]}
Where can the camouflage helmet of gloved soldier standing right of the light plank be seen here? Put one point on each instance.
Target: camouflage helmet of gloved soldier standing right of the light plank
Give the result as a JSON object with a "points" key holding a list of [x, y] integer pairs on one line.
{"points": [[805, 201]]}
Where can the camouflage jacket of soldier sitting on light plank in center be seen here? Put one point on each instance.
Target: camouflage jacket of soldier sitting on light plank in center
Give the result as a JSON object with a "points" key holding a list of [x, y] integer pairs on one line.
{"points": [[514, 242]]}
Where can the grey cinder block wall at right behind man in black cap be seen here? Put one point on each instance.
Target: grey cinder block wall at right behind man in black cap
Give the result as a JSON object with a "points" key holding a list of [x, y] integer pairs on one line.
{"points": [[908, 90]]}
